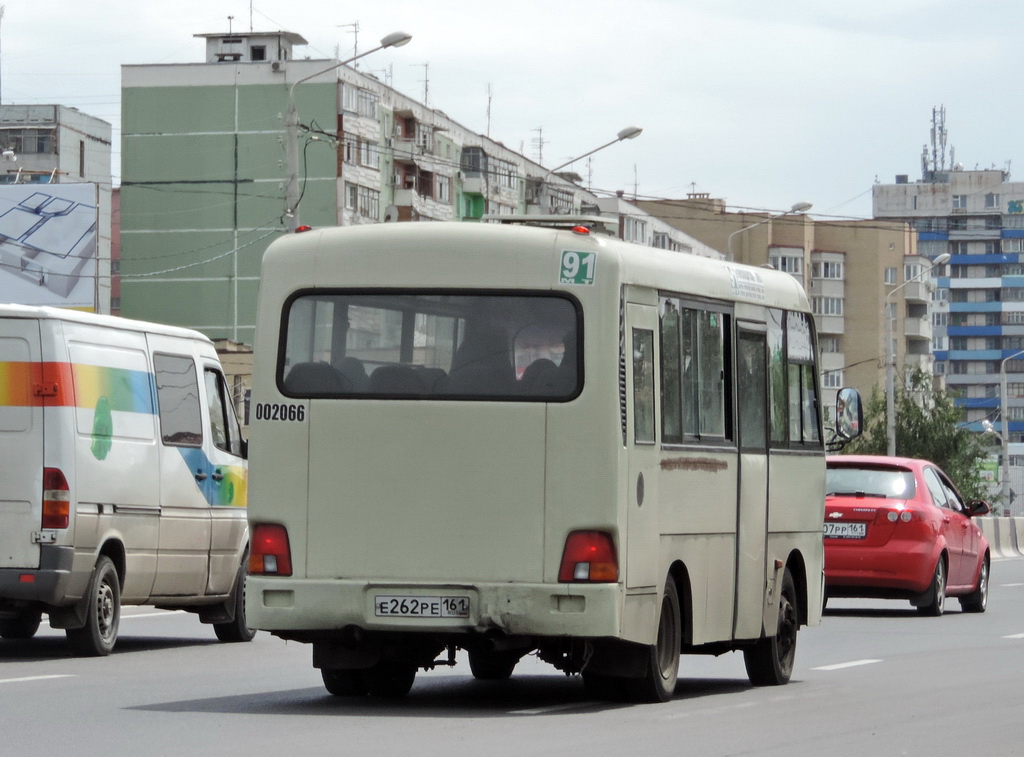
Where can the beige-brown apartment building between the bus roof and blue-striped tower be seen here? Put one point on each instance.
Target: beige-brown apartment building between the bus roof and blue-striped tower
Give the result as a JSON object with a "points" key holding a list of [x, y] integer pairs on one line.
{"points": [[856, 273]]}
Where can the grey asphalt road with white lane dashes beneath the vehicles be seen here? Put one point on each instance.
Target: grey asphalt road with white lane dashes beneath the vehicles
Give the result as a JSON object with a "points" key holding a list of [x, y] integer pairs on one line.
{"points": [[875, 679]]}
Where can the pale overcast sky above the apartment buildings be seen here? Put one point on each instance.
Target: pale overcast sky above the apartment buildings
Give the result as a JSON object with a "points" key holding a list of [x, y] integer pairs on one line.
{"points": [[762, 105]]}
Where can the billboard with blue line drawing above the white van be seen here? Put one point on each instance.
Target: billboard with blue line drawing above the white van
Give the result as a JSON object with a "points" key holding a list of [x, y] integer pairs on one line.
{"points": [[49, 243]]}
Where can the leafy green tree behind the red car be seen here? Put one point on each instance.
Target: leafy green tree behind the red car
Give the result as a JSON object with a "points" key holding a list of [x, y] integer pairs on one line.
{"points": [[927, 427]]}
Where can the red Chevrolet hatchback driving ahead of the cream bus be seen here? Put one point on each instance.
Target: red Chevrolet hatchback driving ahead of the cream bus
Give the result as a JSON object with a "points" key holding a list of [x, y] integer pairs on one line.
{"points": [[898, 529]]}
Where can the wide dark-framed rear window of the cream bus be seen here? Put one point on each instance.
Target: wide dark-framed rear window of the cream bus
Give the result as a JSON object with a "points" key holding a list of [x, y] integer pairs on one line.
{"points": [[430, 346]]}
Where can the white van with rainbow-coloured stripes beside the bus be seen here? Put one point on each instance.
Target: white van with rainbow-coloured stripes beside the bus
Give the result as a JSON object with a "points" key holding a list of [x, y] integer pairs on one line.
{"points": [[124, 477]]}
